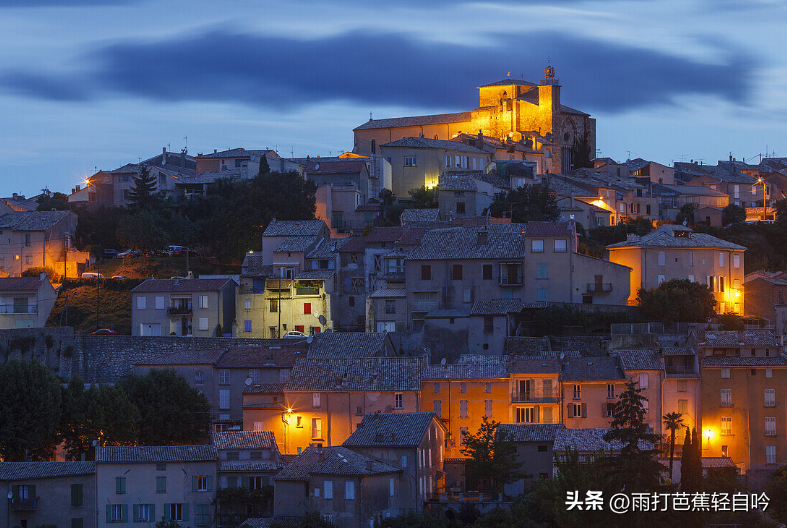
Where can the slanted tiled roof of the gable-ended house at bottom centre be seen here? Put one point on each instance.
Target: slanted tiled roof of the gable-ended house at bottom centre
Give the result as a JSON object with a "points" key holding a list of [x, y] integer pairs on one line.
{"points": [[391, 430]]}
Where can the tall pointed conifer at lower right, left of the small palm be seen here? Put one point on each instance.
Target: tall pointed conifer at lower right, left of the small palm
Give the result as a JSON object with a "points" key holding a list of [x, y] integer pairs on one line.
{"points": [[635, 467]]}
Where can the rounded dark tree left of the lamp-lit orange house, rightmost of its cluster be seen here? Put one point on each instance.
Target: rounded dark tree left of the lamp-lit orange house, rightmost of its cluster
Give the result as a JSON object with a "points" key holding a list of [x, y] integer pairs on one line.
{"points": [[171, 411]]}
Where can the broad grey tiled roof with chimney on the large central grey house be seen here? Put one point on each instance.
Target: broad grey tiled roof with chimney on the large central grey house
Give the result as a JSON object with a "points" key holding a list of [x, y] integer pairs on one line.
{"points": [[502, 242]]}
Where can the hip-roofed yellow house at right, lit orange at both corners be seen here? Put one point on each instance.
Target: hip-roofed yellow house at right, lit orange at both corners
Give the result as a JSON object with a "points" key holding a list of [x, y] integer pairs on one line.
{"points": [[677, 252]]}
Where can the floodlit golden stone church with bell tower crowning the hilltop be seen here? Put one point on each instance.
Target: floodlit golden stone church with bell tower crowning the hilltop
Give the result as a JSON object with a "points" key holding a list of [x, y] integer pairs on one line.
{"points": [[511, 110]]}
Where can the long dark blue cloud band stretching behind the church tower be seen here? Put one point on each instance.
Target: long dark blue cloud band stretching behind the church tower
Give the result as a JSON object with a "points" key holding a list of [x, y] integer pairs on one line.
{"points": [[388, 69]]}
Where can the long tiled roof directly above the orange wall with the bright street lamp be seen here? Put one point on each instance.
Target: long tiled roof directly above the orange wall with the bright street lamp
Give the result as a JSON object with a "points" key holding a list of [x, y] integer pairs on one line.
{"points": [[357, 374]]}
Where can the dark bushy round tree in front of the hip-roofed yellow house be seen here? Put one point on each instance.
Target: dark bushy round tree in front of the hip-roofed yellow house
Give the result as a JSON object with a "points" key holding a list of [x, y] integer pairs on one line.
{"points": [[677, 300]]}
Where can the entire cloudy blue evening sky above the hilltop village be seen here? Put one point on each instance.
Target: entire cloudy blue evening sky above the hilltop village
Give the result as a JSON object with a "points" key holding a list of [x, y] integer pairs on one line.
{"points": [[100, 83]]}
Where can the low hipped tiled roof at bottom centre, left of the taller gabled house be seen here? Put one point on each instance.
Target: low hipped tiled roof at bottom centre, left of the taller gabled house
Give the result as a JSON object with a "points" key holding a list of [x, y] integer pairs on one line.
{"points": [[332, 461]]}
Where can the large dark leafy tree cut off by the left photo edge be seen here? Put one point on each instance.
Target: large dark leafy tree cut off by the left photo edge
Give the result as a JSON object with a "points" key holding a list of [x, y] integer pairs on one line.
{"points": [[29, 411]]}
